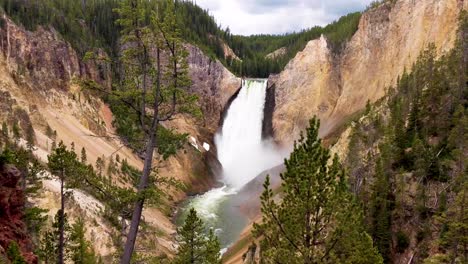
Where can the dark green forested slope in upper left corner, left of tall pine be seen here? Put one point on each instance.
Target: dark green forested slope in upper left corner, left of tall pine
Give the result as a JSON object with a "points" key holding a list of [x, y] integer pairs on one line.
{"points": [[85, 24]]}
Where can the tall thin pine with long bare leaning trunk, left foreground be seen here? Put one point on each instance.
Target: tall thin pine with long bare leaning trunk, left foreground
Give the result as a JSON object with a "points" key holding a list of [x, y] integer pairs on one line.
{"points": [[152, 83]]}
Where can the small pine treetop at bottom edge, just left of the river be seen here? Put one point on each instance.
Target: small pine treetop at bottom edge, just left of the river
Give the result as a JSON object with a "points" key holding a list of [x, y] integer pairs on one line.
{"points": [[194, 246]]}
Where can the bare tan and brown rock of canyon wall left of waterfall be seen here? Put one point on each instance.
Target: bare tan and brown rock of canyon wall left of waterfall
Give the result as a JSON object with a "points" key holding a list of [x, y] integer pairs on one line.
{"points": [[37, 79]]}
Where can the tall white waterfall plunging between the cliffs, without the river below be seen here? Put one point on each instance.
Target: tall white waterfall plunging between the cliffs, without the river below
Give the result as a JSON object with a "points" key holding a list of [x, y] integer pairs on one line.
{"points": [[241, 150]]}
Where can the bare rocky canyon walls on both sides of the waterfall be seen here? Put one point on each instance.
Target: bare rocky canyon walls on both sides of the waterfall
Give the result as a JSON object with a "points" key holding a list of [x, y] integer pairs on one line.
{"points": [[40, 74]]}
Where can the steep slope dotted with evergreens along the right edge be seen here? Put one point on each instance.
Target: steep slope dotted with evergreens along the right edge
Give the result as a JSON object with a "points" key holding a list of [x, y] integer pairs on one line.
{"points": [[421, 130]]}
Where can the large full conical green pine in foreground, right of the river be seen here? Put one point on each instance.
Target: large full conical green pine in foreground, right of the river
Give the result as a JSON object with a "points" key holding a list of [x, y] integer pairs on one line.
{"points": [[317, 220]]}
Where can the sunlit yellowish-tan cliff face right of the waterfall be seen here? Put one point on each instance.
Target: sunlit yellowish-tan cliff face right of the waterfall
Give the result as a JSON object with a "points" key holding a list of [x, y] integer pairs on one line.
{"points": [[333, 86]]}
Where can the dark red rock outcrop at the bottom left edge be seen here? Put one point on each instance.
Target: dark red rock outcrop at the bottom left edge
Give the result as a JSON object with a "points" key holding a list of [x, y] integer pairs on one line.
{"points": [[12, 227]]}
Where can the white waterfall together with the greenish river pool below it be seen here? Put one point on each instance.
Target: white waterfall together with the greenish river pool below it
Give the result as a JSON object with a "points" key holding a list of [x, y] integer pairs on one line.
{"points": [[243, 155]]}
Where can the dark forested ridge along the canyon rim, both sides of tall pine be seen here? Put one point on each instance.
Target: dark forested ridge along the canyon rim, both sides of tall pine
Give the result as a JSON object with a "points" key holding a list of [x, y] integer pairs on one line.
{"points": [[89, 24]]}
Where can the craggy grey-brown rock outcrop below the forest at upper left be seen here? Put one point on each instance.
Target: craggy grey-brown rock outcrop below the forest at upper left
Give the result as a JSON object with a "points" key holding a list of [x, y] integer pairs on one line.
{"points": [[45, 60]]}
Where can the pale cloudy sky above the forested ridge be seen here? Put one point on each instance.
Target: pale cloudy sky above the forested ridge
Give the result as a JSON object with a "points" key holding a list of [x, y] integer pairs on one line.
{"points": [[246, 17]]}
